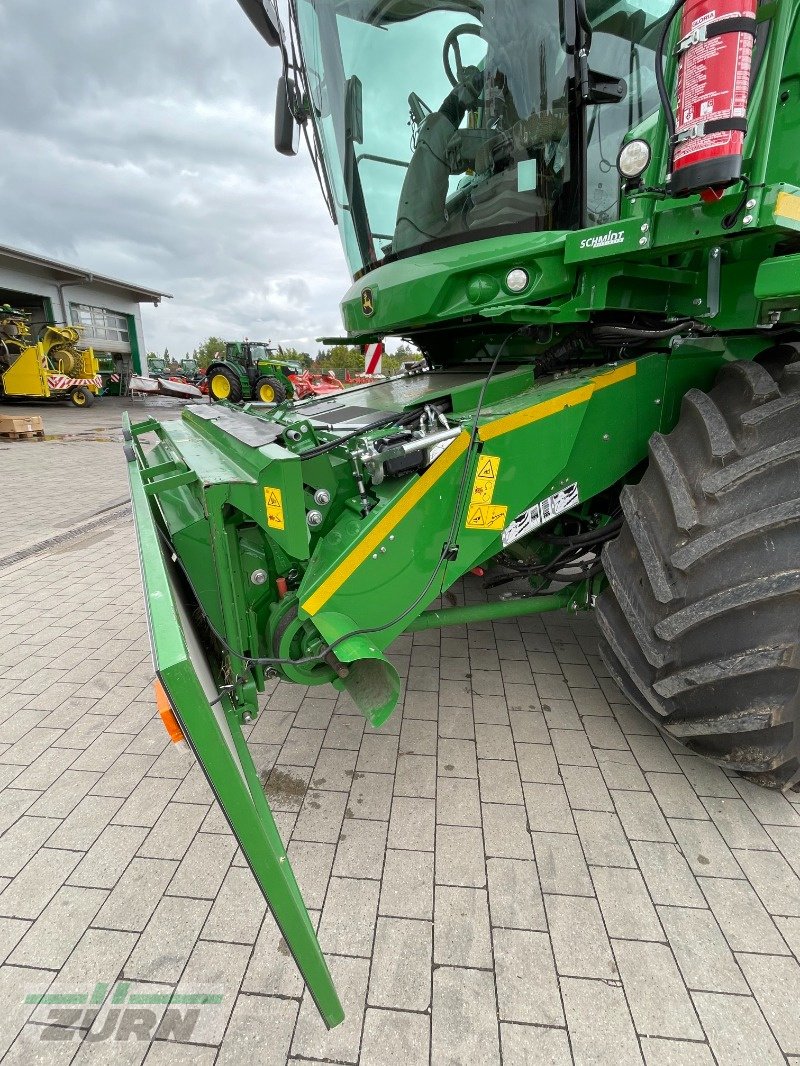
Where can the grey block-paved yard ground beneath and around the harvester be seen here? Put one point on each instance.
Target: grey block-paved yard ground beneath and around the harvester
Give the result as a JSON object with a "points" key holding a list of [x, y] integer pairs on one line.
{"points": [[517, 869]]}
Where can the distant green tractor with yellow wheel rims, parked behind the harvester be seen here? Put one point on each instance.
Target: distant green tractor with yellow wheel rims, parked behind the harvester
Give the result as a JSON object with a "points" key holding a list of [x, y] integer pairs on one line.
{"points": [[251, 372]]}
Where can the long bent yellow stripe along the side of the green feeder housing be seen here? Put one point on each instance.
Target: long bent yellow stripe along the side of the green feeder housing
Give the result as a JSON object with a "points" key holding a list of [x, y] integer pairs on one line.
{"points": [[365, 548]]}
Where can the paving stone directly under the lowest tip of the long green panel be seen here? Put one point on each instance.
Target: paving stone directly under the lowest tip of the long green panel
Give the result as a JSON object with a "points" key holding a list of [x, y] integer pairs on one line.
{"points": [[342, 1044]]}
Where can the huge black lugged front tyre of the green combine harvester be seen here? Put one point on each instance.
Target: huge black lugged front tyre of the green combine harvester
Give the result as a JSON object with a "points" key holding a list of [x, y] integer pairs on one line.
{"points": [[701, 621]]}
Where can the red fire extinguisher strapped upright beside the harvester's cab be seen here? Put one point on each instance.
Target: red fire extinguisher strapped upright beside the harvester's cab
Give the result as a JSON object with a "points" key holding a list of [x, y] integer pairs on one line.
{"points": [[715, 54]]}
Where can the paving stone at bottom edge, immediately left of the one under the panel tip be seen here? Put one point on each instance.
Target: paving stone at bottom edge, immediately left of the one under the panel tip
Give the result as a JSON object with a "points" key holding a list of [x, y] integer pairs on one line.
{"points": [[245, 1044]]}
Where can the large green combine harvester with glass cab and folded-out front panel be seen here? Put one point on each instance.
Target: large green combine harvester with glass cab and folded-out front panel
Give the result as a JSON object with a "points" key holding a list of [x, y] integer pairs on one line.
{"points": [[586, 215]]}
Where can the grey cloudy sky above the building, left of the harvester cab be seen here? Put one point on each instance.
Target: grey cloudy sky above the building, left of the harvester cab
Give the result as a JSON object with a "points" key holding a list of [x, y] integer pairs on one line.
{"points": [[138, 143]]}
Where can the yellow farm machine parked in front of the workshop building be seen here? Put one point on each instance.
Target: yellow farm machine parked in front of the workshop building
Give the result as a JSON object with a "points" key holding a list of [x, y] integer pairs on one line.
{"points": [[52, 368]]}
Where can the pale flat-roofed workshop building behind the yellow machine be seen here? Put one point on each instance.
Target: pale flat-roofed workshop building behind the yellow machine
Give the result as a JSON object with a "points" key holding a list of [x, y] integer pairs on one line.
{"points": [[57, 294]]}
